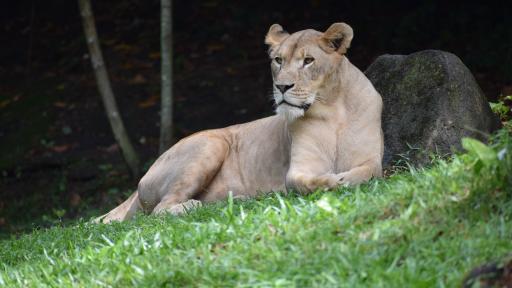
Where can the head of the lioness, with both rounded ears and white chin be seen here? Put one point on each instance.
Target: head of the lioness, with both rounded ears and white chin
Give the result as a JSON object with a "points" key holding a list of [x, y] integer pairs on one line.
{"points": [[301, 62]]}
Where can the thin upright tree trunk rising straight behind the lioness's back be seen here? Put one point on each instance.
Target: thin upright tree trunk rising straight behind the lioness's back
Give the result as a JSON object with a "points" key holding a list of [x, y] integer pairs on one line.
{"points": [[166, 125]]}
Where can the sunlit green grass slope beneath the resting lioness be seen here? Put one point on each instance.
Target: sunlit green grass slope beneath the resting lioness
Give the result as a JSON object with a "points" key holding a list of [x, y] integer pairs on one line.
{"points": [[418, 228]]}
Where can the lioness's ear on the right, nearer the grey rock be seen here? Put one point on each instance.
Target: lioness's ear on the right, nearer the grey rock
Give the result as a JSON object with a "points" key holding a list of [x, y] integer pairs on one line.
{"points": [[337, 38]]}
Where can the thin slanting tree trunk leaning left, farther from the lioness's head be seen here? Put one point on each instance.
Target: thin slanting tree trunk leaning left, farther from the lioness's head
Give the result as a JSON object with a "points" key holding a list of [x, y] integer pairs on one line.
{"points": [[109, 102]]}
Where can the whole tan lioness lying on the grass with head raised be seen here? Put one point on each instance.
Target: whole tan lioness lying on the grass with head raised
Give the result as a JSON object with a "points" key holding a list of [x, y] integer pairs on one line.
{"points": [[327, 132]]}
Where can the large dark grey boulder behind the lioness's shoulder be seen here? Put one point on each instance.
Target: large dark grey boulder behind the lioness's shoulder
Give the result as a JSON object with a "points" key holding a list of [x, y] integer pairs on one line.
{"points": [[431, 101]]}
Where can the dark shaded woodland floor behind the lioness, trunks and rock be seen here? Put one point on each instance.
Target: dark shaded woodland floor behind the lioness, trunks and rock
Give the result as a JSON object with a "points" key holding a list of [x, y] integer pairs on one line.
{"points": [[58, 159]]}
